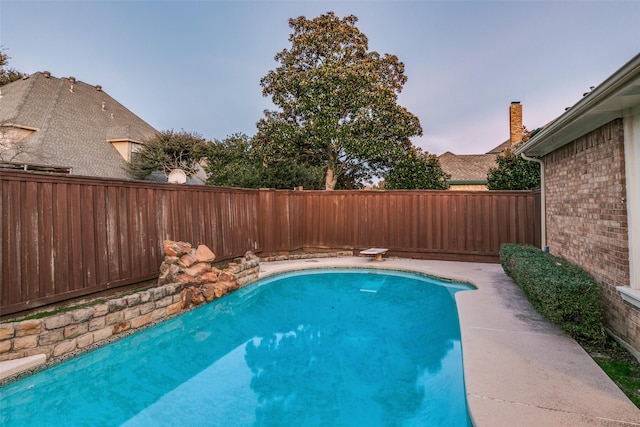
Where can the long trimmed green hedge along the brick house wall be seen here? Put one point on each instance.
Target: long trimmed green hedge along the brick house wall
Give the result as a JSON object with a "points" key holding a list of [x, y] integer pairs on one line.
{"points": [[562, 292]]}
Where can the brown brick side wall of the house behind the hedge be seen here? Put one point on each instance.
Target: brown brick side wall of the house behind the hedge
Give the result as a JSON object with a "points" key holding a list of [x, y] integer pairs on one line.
{"points": [[587, 217]]}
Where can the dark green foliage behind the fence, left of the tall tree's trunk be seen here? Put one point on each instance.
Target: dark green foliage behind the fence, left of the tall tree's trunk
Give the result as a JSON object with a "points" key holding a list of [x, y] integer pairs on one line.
{"points": [[237, 162]]}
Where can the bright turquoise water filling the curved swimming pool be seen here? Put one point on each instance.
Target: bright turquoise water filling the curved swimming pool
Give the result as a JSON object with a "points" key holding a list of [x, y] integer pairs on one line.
{"points": [[315, 348]]}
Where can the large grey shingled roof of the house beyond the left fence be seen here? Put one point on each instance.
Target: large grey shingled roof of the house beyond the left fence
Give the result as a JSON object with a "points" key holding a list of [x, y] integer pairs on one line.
{"points": [[63, 122]]}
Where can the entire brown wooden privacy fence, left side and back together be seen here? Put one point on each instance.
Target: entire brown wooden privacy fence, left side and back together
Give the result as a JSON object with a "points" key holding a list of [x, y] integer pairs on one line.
{"points": [[66, 237]]}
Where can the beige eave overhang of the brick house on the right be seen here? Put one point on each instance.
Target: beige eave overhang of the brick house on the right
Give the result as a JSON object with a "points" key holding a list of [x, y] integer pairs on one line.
{"points": [[606, 102]]}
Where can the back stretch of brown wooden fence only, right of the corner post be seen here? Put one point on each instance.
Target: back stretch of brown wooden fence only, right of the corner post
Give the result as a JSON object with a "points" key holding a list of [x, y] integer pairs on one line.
{"points": [[465, 226]]}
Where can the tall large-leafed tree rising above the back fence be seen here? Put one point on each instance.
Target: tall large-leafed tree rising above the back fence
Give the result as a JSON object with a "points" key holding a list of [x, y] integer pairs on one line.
{"points": [[337, 102]]}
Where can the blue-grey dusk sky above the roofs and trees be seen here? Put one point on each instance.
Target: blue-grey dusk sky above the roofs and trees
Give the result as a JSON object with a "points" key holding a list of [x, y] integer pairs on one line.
{"points": [[196, 65]]}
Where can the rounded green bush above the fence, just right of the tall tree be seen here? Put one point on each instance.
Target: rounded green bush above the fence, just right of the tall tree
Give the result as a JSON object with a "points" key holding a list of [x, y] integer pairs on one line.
{"points": [[417, 170]]}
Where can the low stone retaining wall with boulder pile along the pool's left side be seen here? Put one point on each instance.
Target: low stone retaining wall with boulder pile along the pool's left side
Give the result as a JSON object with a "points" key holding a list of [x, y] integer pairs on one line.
{"points": [[187, 278]]}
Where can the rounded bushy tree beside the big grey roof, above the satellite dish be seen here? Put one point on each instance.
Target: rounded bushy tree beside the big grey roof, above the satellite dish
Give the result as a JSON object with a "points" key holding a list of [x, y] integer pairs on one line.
{"points": [[166, 151]]}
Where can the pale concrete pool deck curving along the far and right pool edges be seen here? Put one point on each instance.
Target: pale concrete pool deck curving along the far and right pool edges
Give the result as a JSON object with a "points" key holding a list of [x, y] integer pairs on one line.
{"points": [[519, 369]]}
